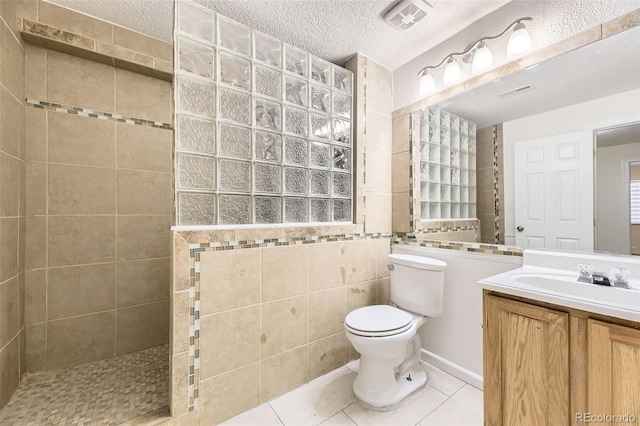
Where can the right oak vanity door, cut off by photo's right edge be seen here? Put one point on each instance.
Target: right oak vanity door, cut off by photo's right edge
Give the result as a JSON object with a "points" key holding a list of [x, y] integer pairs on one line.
{"points": [[614, 370]]}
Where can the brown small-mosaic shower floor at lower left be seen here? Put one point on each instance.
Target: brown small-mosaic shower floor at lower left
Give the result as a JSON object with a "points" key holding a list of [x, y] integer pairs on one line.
{"points": [[108, 392]]}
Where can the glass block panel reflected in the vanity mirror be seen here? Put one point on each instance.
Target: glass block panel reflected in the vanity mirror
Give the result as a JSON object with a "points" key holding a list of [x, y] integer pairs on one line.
{"points": [[447, 166]]}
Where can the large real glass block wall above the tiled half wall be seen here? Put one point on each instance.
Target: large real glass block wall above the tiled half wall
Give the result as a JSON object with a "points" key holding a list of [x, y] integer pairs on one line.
{"points": [[263, 129]]}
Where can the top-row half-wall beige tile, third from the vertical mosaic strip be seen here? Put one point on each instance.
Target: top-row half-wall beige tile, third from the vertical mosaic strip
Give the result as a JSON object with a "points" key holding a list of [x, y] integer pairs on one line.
{"points": [[327, 265]]}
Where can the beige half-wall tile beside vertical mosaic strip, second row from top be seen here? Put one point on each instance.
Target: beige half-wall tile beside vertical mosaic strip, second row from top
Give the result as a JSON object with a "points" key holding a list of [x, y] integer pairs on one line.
{"points": [[238, 332]]}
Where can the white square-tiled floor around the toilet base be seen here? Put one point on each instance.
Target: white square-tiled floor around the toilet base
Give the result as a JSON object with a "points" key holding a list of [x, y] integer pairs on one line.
{"points": [[328, 401]]}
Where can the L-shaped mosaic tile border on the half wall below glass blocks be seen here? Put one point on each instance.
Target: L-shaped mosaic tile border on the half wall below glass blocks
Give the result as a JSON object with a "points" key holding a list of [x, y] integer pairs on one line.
{"points": [[195, 249]]}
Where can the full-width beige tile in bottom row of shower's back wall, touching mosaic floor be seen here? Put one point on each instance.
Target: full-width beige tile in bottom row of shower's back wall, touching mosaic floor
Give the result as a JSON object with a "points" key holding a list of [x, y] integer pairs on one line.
{"points": [[78, 340]]}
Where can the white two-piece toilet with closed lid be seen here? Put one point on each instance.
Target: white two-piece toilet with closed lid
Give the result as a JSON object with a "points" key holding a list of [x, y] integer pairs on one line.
{"points": [[386, 336]]}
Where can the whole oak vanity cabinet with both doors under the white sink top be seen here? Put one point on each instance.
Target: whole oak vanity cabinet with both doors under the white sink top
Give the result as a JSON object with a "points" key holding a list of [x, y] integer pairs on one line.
{"points": [[543, 363]]}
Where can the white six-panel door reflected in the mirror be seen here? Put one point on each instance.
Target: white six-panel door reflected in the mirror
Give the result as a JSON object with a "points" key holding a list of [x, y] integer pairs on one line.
{"points": [[554, 192]]}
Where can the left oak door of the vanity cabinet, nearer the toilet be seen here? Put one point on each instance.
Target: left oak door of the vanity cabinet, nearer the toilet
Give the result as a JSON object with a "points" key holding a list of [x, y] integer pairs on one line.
{"points": [[526, 364]]}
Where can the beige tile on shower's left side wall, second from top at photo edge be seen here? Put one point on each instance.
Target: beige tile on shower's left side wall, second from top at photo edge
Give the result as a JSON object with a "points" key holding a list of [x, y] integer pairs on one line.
{"points": [[11, 62]]}
